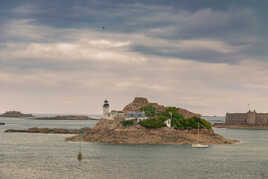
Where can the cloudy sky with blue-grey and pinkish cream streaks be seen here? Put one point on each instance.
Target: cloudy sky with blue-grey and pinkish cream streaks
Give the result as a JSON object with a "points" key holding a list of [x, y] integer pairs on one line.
{"points": [[66, 56]]}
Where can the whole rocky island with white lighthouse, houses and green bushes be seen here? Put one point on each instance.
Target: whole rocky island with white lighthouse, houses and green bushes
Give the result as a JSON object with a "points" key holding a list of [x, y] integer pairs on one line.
{"points": [[142, 122]]}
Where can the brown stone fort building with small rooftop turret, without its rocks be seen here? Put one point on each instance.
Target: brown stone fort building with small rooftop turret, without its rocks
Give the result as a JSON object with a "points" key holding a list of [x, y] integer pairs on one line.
{"points": [[250, 118]]}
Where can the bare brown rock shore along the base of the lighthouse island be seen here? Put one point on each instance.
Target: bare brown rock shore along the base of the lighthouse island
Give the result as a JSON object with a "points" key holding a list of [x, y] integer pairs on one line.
{"points": [[107, 131]]}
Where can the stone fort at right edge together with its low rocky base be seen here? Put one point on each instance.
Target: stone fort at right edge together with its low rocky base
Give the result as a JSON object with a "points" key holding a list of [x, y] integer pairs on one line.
{"points": [[251, 119]]}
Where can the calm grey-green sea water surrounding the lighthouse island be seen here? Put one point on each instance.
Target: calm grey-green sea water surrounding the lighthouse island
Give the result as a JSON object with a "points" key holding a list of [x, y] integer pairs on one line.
{"points": [[49, 156]]}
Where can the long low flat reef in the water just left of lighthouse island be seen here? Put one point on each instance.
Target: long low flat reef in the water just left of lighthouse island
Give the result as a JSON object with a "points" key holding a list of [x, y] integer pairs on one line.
{"points": [[49, 131]]}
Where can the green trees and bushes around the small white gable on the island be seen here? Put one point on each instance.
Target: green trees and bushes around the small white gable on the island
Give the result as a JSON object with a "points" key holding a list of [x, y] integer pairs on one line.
{"points": [[157, 119]]}
